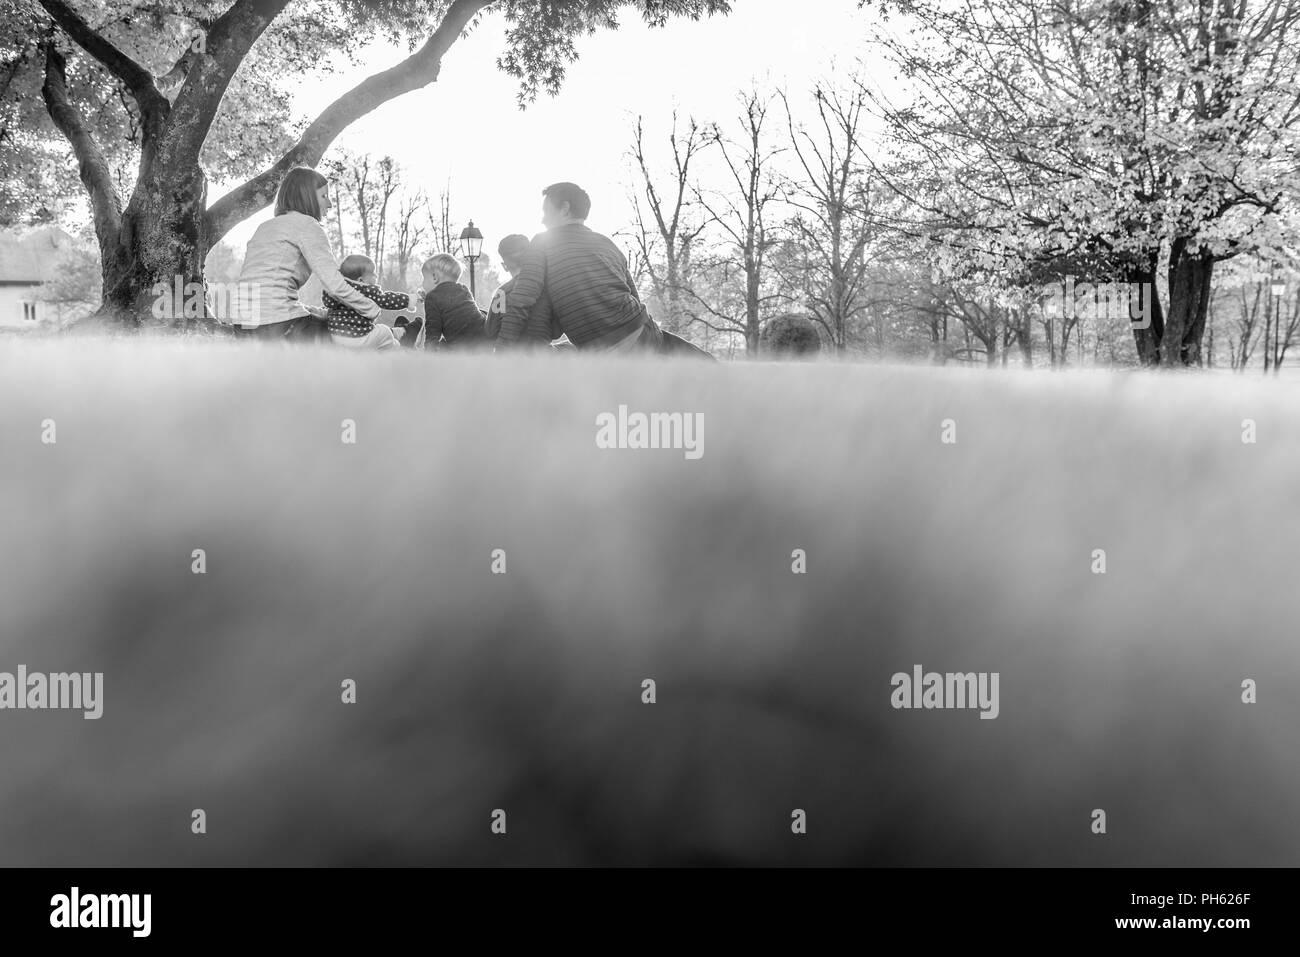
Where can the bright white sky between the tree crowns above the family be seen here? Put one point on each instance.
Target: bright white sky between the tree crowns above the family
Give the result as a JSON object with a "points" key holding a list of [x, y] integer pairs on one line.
{"points": [[469, 128]]}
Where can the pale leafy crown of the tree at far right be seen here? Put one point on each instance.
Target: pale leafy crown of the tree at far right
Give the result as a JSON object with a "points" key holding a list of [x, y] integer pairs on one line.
{"points": [[1095, 128]]}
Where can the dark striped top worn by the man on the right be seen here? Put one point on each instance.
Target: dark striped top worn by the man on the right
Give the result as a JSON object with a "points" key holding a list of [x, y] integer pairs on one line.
{"points": [[593, 297]]}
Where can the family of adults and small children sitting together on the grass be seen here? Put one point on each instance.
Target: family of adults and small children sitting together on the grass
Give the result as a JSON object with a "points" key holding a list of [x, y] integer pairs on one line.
{"points": [[569, 283]]}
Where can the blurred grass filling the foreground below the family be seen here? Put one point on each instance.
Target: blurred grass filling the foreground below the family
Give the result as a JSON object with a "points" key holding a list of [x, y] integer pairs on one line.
{"points": [[523, 692]]}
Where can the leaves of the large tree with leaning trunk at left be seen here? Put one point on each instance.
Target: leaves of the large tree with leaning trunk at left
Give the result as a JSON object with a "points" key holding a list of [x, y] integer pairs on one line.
{"points": [[254, 124]]}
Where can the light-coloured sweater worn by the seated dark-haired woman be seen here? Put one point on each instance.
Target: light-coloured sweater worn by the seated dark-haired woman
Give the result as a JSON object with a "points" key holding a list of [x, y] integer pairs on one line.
{"points": [[283, 254]]}
